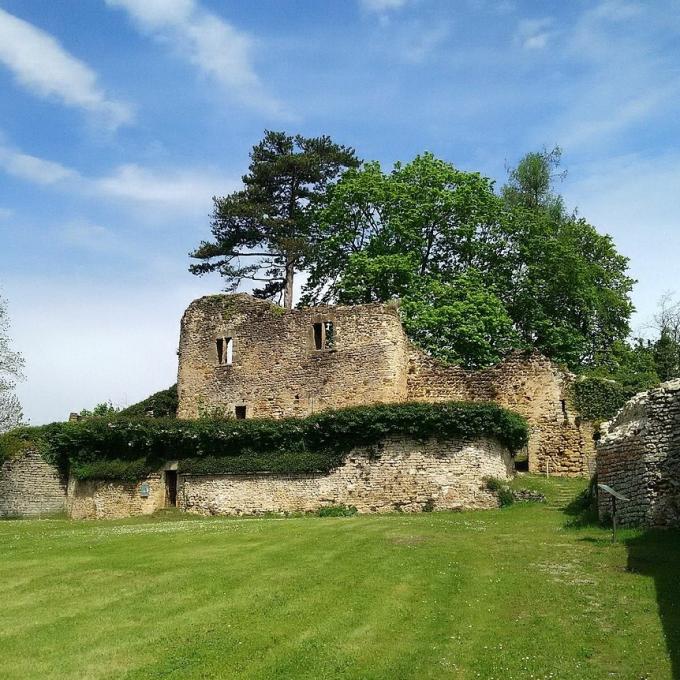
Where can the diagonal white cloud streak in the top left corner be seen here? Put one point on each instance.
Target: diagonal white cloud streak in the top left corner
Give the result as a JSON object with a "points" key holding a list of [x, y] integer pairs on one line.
{"points": [[43, 66]]}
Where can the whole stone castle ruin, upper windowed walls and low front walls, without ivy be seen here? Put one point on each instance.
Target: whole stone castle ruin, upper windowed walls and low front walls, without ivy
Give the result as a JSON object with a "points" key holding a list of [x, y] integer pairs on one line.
{"points": [[248, 358]]}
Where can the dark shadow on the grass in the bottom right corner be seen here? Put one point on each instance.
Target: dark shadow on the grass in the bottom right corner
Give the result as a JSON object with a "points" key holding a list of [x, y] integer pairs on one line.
{"points": [[656, 553]]}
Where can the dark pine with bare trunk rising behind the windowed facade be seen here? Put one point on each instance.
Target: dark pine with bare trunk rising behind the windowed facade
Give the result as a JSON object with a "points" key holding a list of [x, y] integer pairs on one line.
{"points": [[262, 232]]}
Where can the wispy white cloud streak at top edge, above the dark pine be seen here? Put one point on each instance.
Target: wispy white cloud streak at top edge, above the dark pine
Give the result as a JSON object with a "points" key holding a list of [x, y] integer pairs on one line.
{"points": [[214, 46]]}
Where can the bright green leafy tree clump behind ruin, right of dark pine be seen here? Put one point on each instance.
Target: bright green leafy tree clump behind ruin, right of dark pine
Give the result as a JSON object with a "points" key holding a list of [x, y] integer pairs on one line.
{"points": [[563, 285]]}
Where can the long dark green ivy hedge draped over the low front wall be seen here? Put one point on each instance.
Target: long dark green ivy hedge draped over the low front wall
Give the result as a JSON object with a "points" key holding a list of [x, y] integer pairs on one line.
{"points": [[127, 448]]}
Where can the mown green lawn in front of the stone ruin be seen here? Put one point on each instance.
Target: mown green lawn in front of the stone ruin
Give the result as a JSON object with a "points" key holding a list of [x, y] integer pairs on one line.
{"points": [[524, 592]]}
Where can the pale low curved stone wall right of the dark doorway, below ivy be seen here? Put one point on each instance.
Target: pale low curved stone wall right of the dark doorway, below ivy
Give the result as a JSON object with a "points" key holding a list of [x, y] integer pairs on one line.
{"points": [[406, 475]]}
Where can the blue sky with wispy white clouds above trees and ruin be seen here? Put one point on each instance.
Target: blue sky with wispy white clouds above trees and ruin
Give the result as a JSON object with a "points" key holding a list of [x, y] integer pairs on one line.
{"points": [[119, 119]]}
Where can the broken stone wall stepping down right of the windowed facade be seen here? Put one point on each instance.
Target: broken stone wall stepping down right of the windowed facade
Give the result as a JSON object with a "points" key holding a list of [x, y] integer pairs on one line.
{"points": [[526, 383]]}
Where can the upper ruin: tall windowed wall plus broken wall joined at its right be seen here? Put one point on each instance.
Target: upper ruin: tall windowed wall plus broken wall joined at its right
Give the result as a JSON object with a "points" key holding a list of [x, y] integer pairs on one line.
{"points": [[251, 358]]}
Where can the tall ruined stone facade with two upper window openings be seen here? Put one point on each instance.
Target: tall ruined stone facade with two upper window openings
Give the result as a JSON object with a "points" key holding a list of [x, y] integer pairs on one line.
{"points": [[276, 370]]}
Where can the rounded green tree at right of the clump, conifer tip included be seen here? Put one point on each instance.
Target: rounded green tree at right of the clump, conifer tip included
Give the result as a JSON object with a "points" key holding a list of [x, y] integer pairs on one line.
{"points": [[569, 295]]}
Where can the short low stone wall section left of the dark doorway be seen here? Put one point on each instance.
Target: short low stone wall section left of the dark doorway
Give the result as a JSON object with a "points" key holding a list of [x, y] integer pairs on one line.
{"points": [[104, 499]]}
